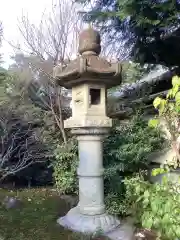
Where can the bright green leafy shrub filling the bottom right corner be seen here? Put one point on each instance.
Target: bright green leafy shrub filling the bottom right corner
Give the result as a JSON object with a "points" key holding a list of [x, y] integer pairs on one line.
{"points": [[154, 206]]}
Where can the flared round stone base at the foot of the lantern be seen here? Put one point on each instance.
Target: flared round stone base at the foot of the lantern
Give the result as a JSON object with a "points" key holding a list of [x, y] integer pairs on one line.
{"points": [[89, 224]]}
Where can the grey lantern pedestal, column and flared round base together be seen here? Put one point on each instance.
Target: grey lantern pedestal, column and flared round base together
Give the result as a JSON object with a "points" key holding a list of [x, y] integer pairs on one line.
{"points": [[90, 216]]}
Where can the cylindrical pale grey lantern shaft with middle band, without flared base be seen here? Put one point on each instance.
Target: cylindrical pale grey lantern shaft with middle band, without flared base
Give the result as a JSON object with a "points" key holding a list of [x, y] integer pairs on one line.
{"points": [[90, 172]]}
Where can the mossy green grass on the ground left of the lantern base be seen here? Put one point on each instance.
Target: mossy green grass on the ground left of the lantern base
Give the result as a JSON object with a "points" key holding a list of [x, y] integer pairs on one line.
{"points": [[36, 219]]}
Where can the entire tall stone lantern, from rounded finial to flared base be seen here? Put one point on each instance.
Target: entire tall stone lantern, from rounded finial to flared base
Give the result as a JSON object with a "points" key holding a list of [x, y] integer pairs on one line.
{"points": [[89, 76]]}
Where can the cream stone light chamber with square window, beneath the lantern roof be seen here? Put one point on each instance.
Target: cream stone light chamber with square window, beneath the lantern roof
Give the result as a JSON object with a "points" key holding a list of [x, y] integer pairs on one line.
{"points": [[84, 112]]}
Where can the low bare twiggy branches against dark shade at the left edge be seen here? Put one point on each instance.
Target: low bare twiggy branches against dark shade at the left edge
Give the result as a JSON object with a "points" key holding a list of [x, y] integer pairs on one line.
{"points": [[18, 147]]}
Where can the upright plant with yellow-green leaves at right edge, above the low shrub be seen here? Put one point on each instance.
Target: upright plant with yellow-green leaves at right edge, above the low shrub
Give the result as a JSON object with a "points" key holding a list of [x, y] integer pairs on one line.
{"points": [[169, 112]]}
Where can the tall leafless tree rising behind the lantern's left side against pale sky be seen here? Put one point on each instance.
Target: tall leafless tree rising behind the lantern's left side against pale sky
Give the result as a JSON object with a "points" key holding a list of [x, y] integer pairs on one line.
{"points": [[51, 42]]}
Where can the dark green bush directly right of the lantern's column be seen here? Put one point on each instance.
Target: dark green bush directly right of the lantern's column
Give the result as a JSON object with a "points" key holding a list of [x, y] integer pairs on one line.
{"points": [[127, 147]]}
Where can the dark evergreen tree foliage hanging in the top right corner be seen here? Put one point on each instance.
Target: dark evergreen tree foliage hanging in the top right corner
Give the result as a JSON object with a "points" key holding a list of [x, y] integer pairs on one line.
{"points": [[149, 29]]}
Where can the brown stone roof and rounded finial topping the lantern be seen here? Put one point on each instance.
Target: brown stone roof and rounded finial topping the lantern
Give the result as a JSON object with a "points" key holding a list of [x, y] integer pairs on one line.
{"points": [[88, 66]]}
